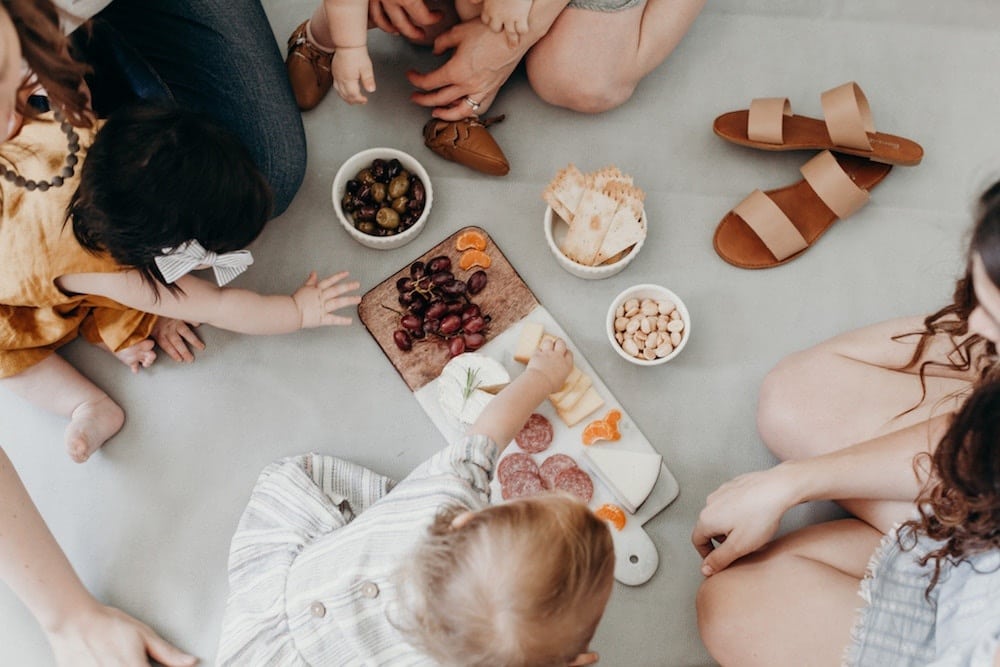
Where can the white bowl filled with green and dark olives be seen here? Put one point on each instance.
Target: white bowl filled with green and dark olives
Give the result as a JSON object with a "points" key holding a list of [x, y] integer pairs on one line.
{"points": [[382, 197]]}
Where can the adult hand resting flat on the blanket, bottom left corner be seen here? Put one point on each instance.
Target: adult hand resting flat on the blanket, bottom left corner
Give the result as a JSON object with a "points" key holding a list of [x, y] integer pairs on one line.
{"points": [[99, 636]]}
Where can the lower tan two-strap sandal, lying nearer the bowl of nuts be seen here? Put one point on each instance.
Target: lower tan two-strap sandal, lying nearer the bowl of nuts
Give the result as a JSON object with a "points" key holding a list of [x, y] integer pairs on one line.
{"points": [[771, 228]]}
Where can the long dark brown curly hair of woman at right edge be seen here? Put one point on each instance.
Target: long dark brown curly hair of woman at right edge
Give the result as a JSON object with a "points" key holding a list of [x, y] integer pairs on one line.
{"points": [[961, 504]]}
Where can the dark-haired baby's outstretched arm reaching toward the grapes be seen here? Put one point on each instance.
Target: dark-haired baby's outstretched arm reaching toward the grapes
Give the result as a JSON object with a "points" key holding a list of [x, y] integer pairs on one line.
{"points": [[312, 305]]}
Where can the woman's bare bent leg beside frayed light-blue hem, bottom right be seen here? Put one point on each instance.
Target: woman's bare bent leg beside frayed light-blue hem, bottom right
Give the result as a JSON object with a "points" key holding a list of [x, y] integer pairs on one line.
{"points": [[793, 602]]}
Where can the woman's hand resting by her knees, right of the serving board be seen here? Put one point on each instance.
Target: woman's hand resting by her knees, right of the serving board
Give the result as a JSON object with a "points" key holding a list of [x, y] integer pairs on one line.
{"points": [[742, 515]]}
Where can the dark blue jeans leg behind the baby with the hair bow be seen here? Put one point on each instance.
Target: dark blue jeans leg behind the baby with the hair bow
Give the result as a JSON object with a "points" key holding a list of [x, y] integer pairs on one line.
{"points": [[218, 57]]}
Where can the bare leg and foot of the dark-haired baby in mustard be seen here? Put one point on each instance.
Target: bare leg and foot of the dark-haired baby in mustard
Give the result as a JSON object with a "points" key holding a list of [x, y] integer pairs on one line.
{"points": [[57, 387]]}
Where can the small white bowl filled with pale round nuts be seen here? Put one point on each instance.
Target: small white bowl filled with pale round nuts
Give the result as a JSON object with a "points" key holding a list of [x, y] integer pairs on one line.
{"points": [[648, 325]]}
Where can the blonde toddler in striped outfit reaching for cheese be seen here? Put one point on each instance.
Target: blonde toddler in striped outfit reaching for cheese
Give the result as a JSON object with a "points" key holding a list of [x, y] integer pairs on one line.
{"points": [[333, 564]]}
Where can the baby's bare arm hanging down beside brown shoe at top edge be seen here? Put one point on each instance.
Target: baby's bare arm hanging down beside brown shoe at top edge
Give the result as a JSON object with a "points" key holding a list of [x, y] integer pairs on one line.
{"points": [[348, 24]]}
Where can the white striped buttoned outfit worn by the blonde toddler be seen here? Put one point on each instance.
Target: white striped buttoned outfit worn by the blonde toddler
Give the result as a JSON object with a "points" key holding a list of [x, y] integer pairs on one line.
{"points": [[310, 584]]}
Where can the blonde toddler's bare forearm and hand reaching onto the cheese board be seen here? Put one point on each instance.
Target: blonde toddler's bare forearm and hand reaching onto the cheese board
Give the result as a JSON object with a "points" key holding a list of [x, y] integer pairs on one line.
{"points": [[504, 416]]}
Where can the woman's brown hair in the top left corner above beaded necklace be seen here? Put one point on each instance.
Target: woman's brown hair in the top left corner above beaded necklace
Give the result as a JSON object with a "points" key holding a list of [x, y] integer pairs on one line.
{"points": [[45, 48]]}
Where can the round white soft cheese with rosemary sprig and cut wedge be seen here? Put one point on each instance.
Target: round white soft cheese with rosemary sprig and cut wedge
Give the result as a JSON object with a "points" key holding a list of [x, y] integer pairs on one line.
{"points": [[462, 382]]}
